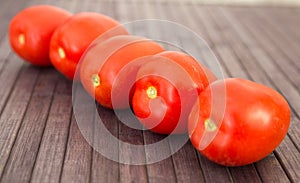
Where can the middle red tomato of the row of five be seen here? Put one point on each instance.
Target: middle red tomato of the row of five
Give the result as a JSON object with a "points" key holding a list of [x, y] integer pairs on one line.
{"points": [[103, 62]]}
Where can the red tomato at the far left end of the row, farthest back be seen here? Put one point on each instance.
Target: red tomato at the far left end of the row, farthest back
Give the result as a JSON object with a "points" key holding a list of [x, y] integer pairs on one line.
{"points": [[30, 32]]}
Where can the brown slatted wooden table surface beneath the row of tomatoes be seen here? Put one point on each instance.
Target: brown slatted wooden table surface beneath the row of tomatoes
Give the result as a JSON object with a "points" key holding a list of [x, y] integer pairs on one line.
{"points": [[39, 137]]}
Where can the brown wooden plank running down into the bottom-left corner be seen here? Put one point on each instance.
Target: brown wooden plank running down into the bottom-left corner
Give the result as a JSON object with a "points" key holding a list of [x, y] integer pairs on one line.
{"points": [[24, 151]]}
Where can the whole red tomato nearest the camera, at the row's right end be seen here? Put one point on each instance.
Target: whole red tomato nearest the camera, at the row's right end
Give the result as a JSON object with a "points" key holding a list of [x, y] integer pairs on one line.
{"points": [[255, 121]]}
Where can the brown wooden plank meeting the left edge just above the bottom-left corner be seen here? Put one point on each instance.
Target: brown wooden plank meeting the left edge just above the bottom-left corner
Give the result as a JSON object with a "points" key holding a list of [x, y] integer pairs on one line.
{"points": [[15, 108]]}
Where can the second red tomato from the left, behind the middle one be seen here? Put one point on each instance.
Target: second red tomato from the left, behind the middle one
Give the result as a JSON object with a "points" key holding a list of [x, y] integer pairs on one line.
{"points": [[70, 40]]}
